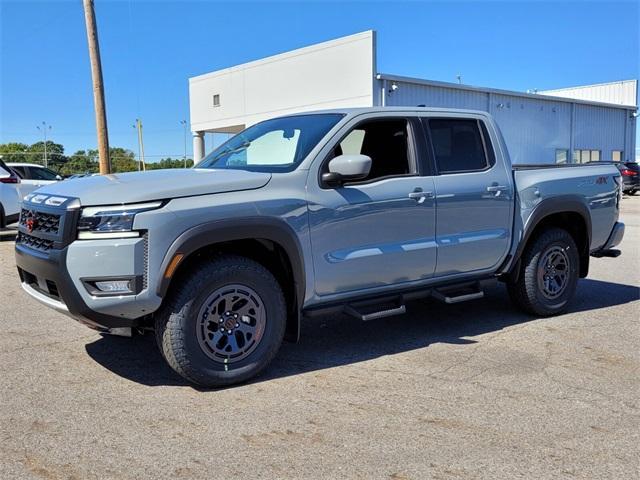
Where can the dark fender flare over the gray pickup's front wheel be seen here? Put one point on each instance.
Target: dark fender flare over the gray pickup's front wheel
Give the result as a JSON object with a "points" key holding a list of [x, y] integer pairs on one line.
{"points": [[246, 228]]}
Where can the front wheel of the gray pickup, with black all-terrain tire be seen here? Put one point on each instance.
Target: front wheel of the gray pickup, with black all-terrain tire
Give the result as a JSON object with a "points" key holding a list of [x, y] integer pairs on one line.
{"points": [[223, 323]]}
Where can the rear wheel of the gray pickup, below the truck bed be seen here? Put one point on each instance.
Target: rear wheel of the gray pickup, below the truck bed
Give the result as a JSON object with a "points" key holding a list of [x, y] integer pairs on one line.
{"points": [[548, 275]]}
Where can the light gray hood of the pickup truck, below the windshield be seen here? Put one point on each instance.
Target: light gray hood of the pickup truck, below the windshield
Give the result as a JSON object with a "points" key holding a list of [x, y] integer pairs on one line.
{"points": [[156, 185]]}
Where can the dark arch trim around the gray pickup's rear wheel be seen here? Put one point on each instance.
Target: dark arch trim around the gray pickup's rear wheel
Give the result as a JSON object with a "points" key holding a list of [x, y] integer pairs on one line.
{"points": [[568, 212]]}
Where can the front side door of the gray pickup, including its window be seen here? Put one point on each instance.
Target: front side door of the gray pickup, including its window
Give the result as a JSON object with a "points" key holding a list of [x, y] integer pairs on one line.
{"points": [[380, 231]]}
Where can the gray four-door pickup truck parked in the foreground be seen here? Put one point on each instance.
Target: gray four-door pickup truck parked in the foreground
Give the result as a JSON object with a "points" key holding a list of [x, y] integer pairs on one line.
{"points": [[357, 211]]}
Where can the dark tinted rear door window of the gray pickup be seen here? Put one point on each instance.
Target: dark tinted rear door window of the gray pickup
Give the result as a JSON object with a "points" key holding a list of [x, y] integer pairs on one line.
{"points": [[457, 145]]}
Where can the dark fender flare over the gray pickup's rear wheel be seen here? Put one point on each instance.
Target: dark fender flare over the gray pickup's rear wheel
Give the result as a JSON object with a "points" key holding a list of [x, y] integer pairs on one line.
{"points": [[546, 208]]}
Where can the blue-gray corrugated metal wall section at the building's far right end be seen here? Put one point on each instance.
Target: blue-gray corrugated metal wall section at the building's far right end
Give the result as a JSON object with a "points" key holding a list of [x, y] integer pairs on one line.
{"points": [[600, 128]]}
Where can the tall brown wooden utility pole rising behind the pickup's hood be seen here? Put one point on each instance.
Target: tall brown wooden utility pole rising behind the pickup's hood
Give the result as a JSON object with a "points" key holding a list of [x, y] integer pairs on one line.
{"points": [[98, 88]]}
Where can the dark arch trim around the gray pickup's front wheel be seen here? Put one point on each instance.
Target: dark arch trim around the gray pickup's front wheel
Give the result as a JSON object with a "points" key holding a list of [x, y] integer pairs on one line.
{"points": [[268, 241]]}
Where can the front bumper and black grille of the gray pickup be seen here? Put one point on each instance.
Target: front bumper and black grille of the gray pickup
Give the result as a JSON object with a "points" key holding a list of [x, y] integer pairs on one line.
{"points": [[56, 269]]}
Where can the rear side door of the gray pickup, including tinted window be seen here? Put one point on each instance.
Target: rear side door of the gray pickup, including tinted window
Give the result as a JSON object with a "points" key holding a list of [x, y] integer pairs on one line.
{"points": [[474, 196]]}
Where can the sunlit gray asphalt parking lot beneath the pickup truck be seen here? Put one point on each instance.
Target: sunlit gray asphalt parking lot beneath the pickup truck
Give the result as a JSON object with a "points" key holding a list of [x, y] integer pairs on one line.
{"points": [[476, 390]]}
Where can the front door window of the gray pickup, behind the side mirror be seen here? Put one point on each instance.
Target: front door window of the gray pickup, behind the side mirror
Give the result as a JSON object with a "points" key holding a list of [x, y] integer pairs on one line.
{"points": [[385, 141]]}
